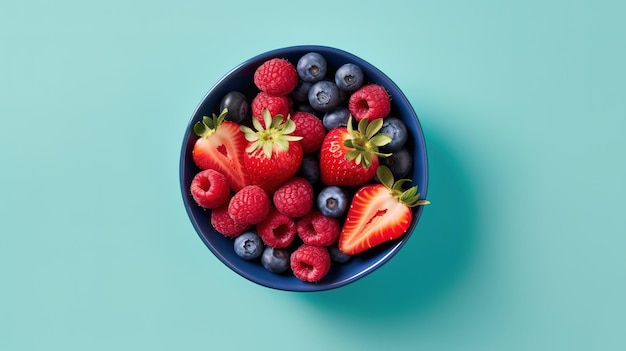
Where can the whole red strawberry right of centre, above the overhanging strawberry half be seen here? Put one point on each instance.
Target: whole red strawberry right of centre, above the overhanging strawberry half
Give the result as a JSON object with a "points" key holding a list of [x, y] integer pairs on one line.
{"points": [[349, 157]]}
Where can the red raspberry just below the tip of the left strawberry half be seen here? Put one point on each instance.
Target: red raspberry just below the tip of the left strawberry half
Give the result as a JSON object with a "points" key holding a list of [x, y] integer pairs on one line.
{"points": [[250, 205]]}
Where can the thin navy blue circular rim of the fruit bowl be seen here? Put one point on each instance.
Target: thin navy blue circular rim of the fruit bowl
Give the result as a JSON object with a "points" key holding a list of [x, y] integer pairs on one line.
{"points": [[371, 267]]}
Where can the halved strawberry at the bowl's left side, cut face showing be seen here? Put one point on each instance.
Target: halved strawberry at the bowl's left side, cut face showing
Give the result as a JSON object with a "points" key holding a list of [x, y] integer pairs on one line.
{"points": [[220, 147]]}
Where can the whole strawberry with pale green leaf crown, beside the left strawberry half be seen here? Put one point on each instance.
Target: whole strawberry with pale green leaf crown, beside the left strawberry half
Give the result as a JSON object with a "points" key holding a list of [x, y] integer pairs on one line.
{"points": [[273, 155]]}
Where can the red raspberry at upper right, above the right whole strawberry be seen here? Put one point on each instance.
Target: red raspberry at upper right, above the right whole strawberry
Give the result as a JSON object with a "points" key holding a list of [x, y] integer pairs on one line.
{"points": [[369, 101]]}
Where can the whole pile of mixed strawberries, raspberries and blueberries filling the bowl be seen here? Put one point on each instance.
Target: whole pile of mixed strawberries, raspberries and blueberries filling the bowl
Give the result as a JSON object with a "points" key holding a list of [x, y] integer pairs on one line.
{"points": [[302, 176]]}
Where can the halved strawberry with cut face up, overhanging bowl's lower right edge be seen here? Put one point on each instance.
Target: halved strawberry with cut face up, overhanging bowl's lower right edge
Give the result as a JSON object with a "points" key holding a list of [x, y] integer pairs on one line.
{"points": [[378, 213]]}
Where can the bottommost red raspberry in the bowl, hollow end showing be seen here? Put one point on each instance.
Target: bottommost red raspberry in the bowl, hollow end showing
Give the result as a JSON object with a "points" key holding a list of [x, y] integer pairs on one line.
{"points": [[310, 263]]}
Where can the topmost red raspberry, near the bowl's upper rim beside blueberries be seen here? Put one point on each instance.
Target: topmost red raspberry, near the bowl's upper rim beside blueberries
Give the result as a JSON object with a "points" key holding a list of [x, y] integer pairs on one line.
{"points": [[276, 76]]}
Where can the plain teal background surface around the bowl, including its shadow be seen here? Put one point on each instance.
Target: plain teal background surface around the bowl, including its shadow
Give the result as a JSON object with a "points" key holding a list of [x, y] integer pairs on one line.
{"points": [[522, 106]]}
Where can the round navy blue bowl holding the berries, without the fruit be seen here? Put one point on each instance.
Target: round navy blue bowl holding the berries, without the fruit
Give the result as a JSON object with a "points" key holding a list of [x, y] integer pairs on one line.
{"points": [[240, 78]]}
